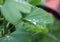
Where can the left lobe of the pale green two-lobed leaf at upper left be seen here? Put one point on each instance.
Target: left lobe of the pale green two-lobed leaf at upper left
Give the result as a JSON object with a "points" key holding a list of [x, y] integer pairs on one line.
{"points": [[11, 14]]}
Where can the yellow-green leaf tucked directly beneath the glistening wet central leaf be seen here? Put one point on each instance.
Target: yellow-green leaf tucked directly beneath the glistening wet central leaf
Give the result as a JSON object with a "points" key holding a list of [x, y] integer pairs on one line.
{"points": [[32, 28]]}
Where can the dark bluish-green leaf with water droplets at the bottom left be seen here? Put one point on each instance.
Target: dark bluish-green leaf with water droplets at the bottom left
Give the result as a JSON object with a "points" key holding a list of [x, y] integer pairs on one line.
{"points": [[17, 36]]}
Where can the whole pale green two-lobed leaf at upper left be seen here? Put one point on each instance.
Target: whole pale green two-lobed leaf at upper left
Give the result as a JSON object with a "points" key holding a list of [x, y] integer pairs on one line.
{"points": [[11, 10]]}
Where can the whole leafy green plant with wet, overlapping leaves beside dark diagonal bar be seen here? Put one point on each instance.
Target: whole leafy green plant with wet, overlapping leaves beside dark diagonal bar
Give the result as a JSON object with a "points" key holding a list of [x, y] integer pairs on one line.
{"points": [[22, 21]]}
